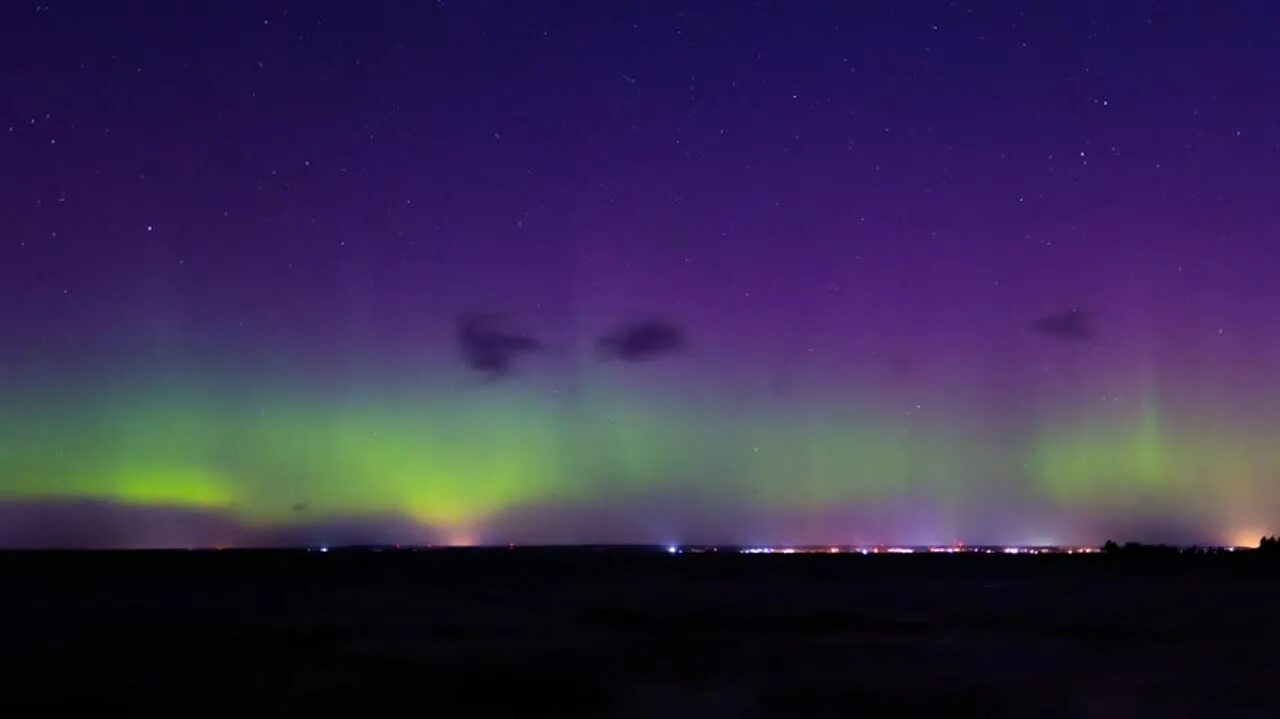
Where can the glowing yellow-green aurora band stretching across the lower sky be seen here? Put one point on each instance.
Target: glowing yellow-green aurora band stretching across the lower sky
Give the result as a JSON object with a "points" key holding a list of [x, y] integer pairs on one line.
{"points": [[455, 459]]}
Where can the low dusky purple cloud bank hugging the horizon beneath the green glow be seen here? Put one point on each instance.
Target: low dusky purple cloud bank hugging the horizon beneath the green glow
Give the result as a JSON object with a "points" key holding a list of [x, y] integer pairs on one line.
{"points": [[637, 519]]}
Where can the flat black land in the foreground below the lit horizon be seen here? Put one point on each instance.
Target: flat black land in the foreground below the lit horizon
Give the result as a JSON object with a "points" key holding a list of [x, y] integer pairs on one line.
{"points": [[636, 634]]}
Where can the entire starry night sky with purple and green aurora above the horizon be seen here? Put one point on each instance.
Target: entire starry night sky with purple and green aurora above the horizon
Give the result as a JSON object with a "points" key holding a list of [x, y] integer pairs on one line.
{"points": [[607, 272]]}
